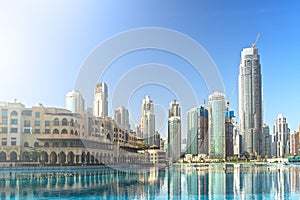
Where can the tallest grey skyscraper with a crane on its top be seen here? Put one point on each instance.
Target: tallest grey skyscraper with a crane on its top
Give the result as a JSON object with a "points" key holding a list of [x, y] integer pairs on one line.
{"points": [[250, 101]]}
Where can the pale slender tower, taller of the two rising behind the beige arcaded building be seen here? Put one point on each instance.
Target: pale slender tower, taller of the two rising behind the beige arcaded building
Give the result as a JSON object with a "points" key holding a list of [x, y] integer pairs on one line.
{"points": [[101, 100]]}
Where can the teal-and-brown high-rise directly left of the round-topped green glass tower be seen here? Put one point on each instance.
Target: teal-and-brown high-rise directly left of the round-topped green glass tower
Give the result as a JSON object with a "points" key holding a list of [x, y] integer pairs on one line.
{"points": [[197, 131]]}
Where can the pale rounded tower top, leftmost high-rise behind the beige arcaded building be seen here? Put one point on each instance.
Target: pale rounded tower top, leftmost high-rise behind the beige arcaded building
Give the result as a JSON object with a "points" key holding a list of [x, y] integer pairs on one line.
{"points": [[75, 102]]}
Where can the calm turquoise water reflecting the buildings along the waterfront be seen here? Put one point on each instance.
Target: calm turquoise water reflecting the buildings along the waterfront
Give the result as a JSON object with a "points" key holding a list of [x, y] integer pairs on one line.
{"points": [[176, 182]]}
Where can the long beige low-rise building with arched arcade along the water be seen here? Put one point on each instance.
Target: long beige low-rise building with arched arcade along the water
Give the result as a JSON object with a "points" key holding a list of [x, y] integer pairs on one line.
{"points": [[53, 136]]}
